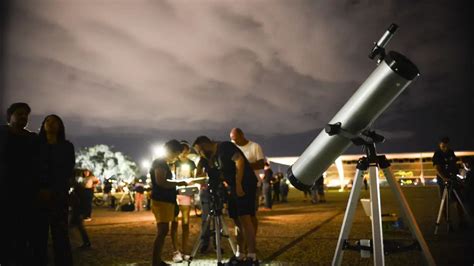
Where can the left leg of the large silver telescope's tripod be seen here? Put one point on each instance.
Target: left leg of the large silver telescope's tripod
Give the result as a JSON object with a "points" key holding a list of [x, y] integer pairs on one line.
{"points": [[348, 217]]}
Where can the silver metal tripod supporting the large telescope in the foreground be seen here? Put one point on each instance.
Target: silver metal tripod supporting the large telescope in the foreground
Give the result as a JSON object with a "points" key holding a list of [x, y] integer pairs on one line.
{"points": [[373, 163]]}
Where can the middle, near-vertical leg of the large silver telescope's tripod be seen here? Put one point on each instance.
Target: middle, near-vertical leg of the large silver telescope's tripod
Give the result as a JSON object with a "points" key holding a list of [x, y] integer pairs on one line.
{"points": [[376, 211]]}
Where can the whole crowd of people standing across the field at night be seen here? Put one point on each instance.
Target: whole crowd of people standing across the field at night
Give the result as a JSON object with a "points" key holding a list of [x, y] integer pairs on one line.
{"points": [[43, 165]]}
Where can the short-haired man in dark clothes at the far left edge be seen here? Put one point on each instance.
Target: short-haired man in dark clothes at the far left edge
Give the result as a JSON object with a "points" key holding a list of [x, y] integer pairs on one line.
{"points": [[19, 171]]}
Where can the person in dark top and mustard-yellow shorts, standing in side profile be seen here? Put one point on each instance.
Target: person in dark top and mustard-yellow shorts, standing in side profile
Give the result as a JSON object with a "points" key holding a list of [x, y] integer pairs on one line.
{"points": [[163, 196]]}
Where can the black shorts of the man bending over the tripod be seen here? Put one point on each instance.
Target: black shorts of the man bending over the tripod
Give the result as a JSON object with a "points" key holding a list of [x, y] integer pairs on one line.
{"points": [[240, 206]]}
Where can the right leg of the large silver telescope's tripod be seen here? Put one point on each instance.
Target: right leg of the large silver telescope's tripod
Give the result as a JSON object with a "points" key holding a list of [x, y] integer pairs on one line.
{"points": [[407, 213]]}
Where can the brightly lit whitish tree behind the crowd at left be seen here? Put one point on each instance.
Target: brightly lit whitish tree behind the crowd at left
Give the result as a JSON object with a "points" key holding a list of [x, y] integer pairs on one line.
{"points": [[106, 163]]}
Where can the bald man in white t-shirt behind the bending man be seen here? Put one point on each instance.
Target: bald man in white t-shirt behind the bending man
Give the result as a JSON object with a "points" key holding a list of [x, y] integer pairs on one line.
{"points": [[254, 154]]}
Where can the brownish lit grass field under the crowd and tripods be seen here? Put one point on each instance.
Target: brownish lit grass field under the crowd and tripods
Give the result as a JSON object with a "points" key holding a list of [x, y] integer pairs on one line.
{"points": [[295, 233]]}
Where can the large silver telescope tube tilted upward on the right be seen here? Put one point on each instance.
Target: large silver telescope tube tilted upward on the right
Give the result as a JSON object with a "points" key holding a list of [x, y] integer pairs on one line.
{"points": [[379, 90]]}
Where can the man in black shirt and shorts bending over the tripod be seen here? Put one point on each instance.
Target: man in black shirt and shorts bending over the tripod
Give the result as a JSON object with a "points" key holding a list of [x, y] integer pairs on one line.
{"points": [[236, 170]]}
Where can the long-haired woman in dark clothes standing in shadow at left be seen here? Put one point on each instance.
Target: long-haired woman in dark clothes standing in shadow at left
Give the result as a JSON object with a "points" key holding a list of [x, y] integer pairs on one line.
{"points": [[57, 162]]}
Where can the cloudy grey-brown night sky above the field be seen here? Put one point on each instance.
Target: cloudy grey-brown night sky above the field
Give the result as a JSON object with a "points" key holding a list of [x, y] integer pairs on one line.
{"points": [[133, 73]]}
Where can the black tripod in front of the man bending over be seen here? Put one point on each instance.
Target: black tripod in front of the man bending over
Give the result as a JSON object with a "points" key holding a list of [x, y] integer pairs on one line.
{"points": [[215, 225]]}
